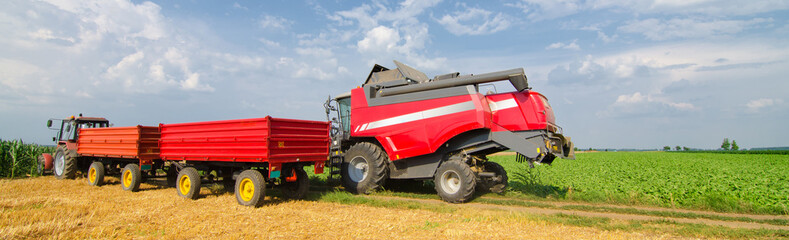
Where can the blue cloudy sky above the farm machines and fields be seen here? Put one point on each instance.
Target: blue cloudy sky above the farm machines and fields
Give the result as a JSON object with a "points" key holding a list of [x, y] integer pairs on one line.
{"points": [[619, 74]]}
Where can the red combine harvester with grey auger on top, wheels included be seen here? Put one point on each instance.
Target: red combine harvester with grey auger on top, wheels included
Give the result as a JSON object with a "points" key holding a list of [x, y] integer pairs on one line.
{"points": [[400, 124]]}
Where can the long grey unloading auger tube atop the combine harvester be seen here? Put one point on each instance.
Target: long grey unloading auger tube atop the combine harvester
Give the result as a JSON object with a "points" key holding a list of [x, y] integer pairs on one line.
{"points": [[516, 77]]}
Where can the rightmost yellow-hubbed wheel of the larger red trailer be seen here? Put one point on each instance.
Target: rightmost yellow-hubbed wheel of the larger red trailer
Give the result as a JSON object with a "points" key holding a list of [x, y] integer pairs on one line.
{"points": [[250, 188]]}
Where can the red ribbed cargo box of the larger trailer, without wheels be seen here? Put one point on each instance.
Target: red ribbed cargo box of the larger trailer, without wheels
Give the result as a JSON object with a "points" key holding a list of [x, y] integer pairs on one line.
{"points": [[246, 140]]}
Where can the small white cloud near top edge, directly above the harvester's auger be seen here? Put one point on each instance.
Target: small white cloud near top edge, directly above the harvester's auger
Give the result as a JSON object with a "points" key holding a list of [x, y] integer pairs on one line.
{"points": [[474, 21]]}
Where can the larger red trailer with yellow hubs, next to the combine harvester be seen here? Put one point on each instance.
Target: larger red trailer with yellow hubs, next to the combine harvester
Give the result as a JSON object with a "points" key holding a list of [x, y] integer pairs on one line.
{"points": [[254, 152]]}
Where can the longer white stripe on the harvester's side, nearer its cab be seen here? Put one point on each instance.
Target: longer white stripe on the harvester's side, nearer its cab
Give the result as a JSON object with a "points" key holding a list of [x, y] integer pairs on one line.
{"points": [[430, 113]]}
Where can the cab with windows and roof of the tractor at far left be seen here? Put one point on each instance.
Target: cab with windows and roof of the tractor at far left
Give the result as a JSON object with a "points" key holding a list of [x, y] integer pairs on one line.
{"points": [[68, 129]]}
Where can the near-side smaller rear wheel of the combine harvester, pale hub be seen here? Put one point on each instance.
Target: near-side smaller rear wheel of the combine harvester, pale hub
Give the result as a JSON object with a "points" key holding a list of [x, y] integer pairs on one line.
{"points": [[455, 181]]}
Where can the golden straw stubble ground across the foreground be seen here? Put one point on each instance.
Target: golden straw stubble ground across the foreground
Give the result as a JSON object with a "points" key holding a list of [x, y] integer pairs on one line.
{"points": [[48, 208]]}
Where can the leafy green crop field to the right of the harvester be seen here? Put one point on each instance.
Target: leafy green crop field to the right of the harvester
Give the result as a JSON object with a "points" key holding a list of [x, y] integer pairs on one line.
{"points": [[710, 181]]}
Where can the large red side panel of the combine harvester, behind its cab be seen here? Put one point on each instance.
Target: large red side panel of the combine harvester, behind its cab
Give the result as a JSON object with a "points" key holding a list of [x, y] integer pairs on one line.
{"points": [[415, 128]]}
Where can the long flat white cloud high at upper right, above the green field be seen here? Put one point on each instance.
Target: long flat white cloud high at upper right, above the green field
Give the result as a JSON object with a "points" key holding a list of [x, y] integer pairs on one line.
{"points": [[657, 29]]}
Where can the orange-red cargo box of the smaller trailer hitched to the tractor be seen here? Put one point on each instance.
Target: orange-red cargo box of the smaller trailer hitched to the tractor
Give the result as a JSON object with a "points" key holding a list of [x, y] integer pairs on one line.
{"points": [[120, 142]]}
